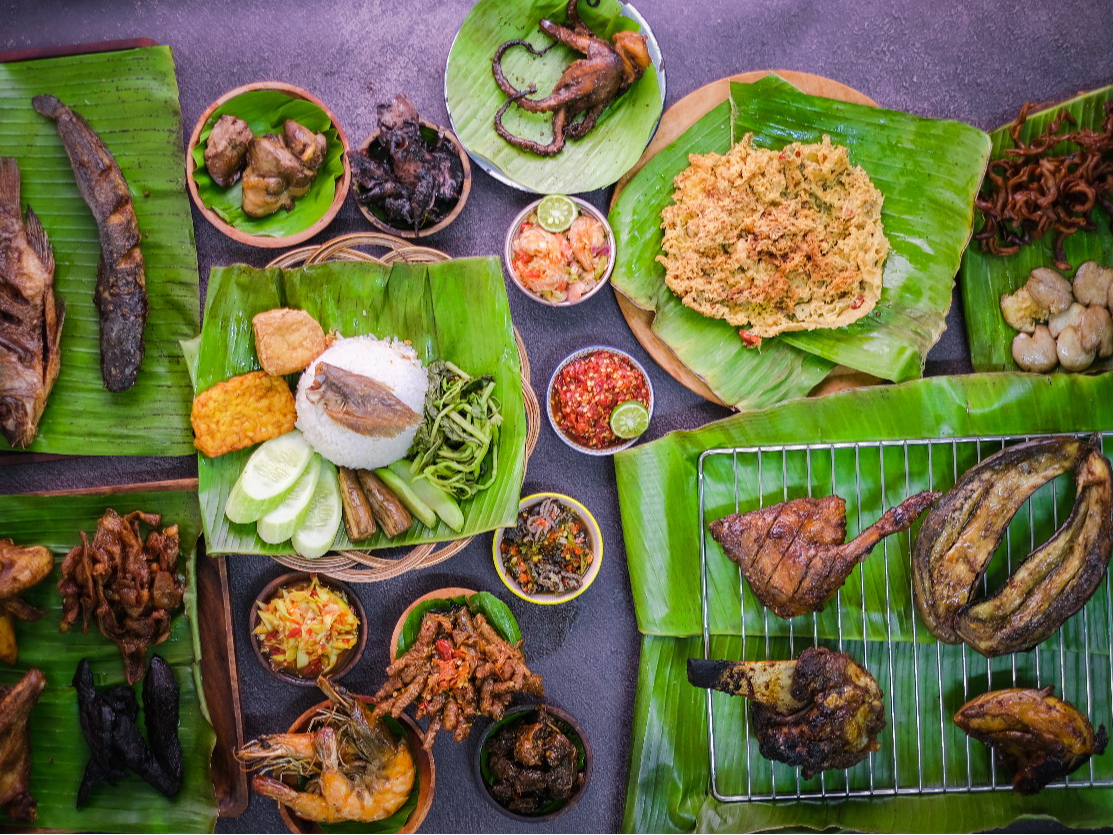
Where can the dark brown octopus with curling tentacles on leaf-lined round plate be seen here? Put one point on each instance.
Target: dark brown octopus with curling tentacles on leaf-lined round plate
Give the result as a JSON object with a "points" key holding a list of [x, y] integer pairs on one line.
{"points": [[586, 89]]}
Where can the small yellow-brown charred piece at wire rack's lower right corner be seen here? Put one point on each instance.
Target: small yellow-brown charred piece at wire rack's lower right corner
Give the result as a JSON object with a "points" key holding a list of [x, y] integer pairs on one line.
{"points": [[1037, 735]]}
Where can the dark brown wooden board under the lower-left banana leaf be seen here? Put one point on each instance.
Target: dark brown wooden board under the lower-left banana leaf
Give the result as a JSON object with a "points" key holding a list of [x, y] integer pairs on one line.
{"points": [[220, 677]]}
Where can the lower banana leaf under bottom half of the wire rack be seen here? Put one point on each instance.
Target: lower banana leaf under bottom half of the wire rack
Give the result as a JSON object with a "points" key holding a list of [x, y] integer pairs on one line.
{"points": [[668, 788]]}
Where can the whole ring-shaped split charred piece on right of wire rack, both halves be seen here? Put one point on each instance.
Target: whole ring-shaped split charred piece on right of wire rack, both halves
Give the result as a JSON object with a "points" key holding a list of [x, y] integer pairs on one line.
{"points": [[961, 535]]}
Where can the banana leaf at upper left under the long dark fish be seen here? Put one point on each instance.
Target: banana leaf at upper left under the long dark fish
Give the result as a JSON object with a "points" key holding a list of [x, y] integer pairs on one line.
{"points": [[140, 119]]}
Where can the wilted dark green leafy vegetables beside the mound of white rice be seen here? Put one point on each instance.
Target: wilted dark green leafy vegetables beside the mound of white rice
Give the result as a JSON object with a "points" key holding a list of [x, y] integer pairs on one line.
{"points": [[457, 448]]}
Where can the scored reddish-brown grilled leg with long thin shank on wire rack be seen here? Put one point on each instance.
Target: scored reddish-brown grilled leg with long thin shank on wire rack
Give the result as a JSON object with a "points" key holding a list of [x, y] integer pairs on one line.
{"points": [[794, 554]]}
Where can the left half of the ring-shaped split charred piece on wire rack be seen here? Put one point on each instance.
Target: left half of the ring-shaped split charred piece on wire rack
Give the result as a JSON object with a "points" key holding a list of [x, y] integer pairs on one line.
{"points": [[960, 535]]}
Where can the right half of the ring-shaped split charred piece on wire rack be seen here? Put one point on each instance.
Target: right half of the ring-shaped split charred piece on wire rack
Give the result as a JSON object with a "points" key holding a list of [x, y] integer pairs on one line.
{"points": [[1057, 579]]}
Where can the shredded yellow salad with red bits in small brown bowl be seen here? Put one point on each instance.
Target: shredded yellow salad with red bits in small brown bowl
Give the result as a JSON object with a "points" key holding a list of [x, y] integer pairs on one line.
{"points": [[306, 630]]}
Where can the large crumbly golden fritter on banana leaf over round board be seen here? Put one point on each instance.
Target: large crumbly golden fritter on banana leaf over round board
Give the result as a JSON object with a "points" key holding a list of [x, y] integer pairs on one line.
{"points": [[776, 241]]}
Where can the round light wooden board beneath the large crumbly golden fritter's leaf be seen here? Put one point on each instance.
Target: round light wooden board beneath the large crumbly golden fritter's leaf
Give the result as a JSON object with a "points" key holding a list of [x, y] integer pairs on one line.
{"points": [[677, 120]]}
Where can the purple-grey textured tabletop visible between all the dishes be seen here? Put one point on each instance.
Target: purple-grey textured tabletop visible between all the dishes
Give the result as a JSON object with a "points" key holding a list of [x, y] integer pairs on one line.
{"points": [[961, 61]]}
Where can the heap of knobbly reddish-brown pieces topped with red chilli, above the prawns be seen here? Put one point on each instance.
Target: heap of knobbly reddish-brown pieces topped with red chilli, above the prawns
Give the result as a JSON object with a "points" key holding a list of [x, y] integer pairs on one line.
{"points": [[458, 669]]}
